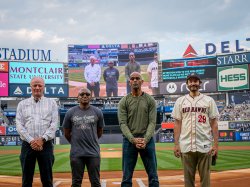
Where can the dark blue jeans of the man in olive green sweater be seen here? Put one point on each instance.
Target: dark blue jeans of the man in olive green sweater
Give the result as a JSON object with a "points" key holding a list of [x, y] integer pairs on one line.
{"points": [[129, 159]]}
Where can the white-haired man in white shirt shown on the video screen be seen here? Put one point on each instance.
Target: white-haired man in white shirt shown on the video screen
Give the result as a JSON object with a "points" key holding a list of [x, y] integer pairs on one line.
{"points": [[92, 74]]}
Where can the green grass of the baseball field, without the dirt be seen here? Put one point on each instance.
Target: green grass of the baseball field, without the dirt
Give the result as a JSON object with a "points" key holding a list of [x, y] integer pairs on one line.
{"points": [[228, 159]]}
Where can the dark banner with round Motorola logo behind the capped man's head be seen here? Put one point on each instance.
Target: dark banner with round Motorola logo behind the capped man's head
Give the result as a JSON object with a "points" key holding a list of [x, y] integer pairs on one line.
{"points": [[181, 87]]}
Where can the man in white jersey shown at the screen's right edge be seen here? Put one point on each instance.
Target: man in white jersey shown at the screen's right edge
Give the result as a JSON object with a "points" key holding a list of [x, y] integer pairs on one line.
{"points": [[153, 75]]}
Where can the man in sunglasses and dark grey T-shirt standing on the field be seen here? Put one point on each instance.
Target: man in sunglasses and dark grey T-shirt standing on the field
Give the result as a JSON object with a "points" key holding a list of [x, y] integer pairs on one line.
{"points": [[83, 125]]}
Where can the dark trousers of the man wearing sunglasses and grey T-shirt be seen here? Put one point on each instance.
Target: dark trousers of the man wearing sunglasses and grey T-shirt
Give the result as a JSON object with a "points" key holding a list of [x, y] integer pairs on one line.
{"points": [[78, 166]]}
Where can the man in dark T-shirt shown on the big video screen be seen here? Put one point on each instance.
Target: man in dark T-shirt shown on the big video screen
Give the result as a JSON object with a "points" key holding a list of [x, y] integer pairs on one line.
{"points": [[111, 76]]}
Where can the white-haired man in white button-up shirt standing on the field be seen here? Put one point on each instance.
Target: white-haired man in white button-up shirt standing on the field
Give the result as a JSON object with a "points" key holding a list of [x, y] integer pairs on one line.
{"points": [[36, 121]]}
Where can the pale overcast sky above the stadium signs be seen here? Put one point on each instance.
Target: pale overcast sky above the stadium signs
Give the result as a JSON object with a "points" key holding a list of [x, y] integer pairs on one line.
{"points": [[53, 24]]}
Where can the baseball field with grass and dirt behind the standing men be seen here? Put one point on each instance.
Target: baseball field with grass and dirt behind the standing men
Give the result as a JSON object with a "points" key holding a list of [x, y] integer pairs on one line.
{"points": [[232, 168]]}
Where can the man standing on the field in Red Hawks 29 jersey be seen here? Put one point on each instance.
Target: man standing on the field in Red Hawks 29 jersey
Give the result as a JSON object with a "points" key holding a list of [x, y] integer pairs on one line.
{"points": [[195, 129]]}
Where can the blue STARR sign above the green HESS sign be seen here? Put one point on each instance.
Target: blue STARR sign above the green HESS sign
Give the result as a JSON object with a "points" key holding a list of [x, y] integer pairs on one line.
{"points": [[234, 59]]}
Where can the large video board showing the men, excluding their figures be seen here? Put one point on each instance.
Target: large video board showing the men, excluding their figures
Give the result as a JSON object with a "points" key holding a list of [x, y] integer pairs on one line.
{"points": [[79, 58]]}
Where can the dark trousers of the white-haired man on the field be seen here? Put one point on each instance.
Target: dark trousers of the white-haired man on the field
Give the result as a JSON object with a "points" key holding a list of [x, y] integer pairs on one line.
{"points": [[45, 160]]}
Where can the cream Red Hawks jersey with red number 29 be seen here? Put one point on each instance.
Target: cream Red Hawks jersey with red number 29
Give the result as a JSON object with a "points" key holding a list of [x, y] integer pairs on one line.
{"points": [[196, 132]]}
